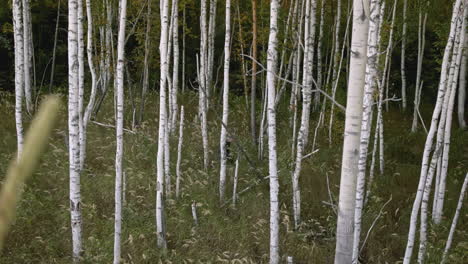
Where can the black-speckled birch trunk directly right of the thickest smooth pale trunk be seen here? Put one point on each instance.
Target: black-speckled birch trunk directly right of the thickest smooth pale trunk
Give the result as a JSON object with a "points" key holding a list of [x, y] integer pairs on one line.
{"points": [[366, 123]]}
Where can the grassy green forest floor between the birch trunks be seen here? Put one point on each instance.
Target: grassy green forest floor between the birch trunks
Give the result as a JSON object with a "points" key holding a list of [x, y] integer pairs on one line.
{"points": [[41, 232]]}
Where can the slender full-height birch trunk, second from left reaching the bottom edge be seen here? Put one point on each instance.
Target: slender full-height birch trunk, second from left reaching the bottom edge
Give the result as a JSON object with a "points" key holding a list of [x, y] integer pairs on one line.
{"points": [[119, 130]]}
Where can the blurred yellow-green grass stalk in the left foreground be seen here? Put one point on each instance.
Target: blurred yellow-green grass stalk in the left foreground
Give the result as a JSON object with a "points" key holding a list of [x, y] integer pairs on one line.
{"points": [[22, 168]]}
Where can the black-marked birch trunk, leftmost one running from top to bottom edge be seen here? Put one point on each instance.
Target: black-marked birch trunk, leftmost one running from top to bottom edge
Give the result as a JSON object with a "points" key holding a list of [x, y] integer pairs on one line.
{"points": [[73, 129]]}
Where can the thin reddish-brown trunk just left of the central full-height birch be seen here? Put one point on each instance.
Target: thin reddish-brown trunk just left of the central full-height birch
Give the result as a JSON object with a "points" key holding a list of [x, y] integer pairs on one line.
{"points": [[253, 84]]}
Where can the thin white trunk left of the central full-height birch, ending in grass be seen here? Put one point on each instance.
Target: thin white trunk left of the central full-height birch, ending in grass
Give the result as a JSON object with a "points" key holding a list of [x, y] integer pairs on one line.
{"points": [[227, 58]]}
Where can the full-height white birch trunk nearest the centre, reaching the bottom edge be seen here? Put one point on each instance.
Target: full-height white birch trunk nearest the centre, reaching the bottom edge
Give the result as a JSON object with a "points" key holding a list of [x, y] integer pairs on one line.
{"points": [[272, 57]]}
